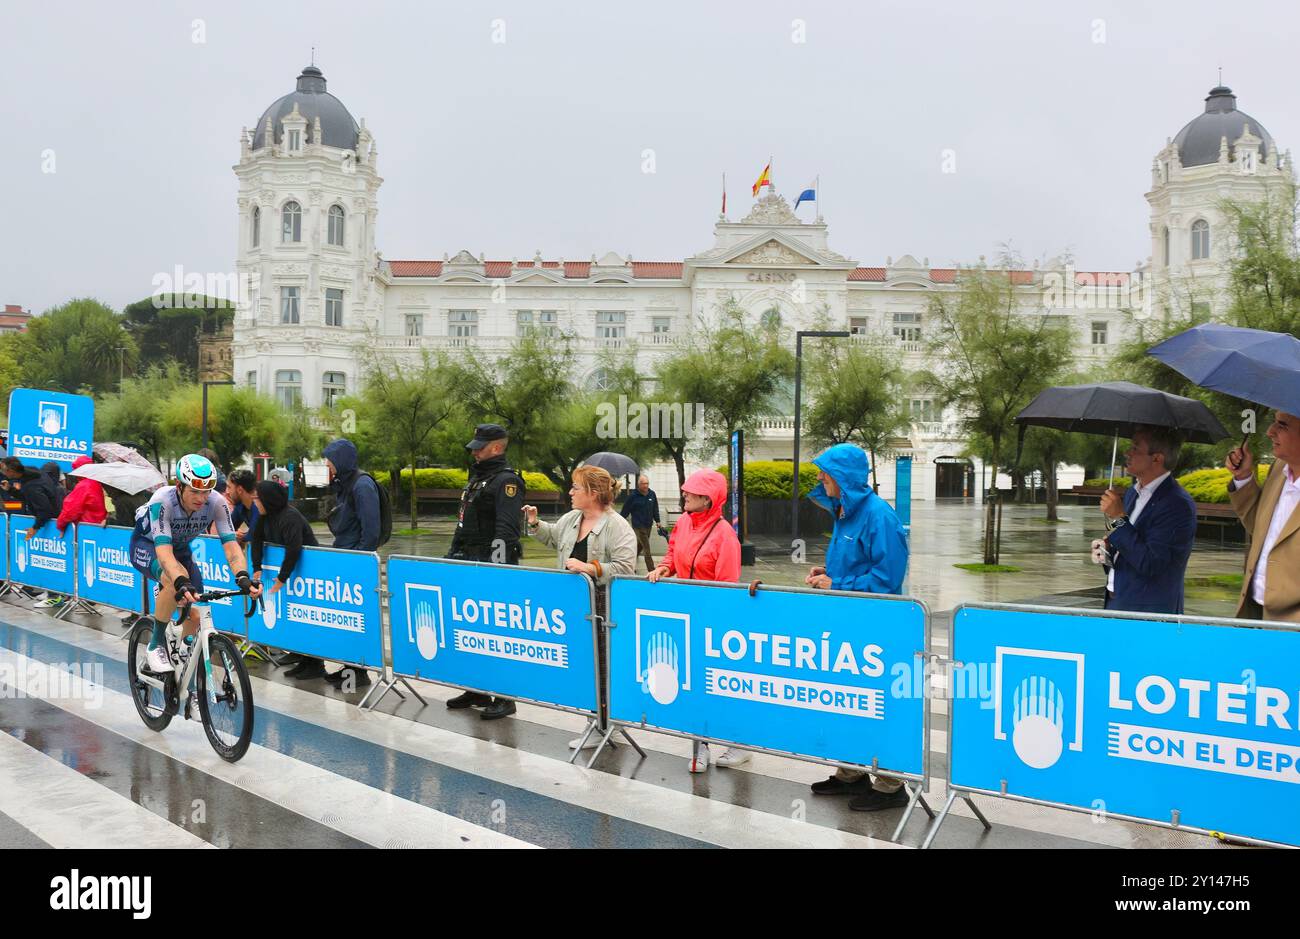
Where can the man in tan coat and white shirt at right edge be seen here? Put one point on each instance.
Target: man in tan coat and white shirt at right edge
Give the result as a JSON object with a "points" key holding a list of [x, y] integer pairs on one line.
{"points": [[1272, 517]]}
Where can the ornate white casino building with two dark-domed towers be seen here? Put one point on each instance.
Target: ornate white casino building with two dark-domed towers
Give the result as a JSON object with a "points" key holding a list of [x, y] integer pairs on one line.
{"points": [[309, 204]]}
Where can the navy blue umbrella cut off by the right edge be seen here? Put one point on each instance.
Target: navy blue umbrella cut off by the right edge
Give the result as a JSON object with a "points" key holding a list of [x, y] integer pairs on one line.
{"points": [[1253, 365]]}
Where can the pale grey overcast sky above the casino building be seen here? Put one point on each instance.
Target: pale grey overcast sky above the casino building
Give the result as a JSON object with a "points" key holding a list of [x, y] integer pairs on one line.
{"points": [[538, 142]]}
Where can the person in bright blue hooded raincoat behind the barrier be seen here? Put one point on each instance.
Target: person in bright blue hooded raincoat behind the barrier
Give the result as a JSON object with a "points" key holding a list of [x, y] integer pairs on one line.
{"points": [[869, 553]]}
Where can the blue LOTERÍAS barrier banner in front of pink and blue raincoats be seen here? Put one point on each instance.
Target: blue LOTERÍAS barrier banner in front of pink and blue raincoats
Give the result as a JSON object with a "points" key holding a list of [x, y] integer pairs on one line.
{"points": [[813, 674]]}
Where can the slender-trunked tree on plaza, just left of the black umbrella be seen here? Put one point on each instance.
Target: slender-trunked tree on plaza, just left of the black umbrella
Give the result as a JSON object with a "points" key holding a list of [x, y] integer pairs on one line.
{"points": [[996, 356]]}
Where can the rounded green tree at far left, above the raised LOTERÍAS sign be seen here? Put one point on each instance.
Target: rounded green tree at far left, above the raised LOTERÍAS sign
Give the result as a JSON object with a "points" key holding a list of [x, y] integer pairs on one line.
{"points": [[79, 348]]}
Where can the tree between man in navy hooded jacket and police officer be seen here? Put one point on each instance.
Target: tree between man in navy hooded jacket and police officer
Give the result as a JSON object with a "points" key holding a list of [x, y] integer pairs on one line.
{"points": [[410, 403]]}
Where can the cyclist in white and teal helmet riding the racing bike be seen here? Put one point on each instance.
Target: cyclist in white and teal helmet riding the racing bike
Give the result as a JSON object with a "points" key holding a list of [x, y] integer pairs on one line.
{"points": [[161, 548]]}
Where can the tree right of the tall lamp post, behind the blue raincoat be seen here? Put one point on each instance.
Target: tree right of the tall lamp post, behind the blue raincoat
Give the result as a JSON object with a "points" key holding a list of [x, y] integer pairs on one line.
{"points": [[859, 396]]}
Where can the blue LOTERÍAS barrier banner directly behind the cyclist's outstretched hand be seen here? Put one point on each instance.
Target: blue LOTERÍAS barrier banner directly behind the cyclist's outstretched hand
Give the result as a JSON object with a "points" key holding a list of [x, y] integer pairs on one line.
{"points": [[330, 608]]}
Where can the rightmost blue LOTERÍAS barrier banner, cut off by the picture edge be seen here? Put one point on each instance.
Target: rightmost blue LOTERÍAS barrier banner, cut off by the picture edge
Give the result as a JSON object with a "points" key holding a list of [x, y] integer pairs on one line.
{"points": [[1132, 717]]}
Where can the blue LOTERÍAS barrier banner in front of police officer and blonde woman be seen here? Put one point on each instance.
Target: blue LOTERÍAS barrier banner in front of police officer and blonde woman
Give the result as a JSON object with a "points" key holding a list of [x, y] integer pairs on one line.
{"points": [[518, 633]]}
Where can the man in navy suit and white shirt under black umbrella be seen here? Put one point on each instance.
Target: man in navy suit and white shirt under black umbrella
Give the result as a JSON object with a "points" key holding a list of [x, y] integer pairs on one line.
{"points": [[1152, 529]]}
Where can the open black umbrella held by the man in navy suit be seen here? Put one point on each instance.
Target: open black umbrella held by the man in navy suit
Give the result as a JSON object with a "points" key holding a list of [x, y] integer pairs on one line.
{"points": [[1119, 409]]}
